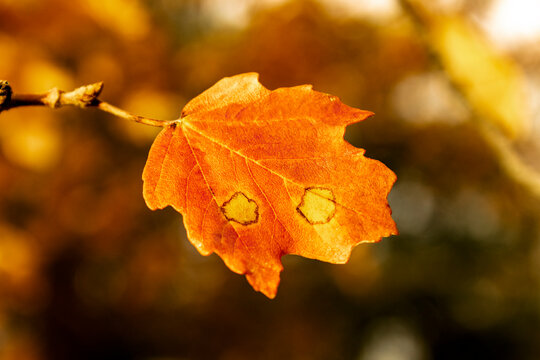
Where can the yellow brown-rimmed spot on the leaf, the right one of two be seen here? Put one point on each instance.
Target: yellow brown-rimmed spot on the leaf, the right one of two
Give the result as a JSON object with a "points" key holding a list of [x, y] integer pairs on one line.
{"points": [[318, 205]]}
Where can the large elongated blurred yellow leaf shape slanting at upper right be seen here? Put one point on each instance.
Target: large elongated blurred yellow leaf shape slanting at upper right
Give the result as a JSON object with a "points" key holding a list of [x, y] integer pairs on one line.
{"points": [[493, 84]]}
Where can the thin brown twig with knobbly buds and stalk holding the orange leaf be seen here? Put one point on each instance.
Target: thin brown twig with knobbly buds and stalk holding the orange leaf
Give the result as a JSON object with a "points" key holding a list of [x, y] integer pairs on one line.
{"points": [[84, 96]]}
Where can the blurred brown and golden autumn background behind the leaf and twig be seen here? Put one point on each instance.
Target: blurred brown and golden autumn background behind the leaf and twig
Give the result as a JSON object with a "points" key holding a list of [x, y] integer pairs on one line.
{"points": [[88, 272]]}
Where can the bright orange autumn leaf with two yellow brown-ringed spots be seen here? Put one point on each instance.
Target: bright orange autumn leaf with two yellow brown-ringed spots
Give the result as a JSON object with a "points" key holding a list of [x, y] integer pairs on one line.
{"points": [[258, 174]]}
